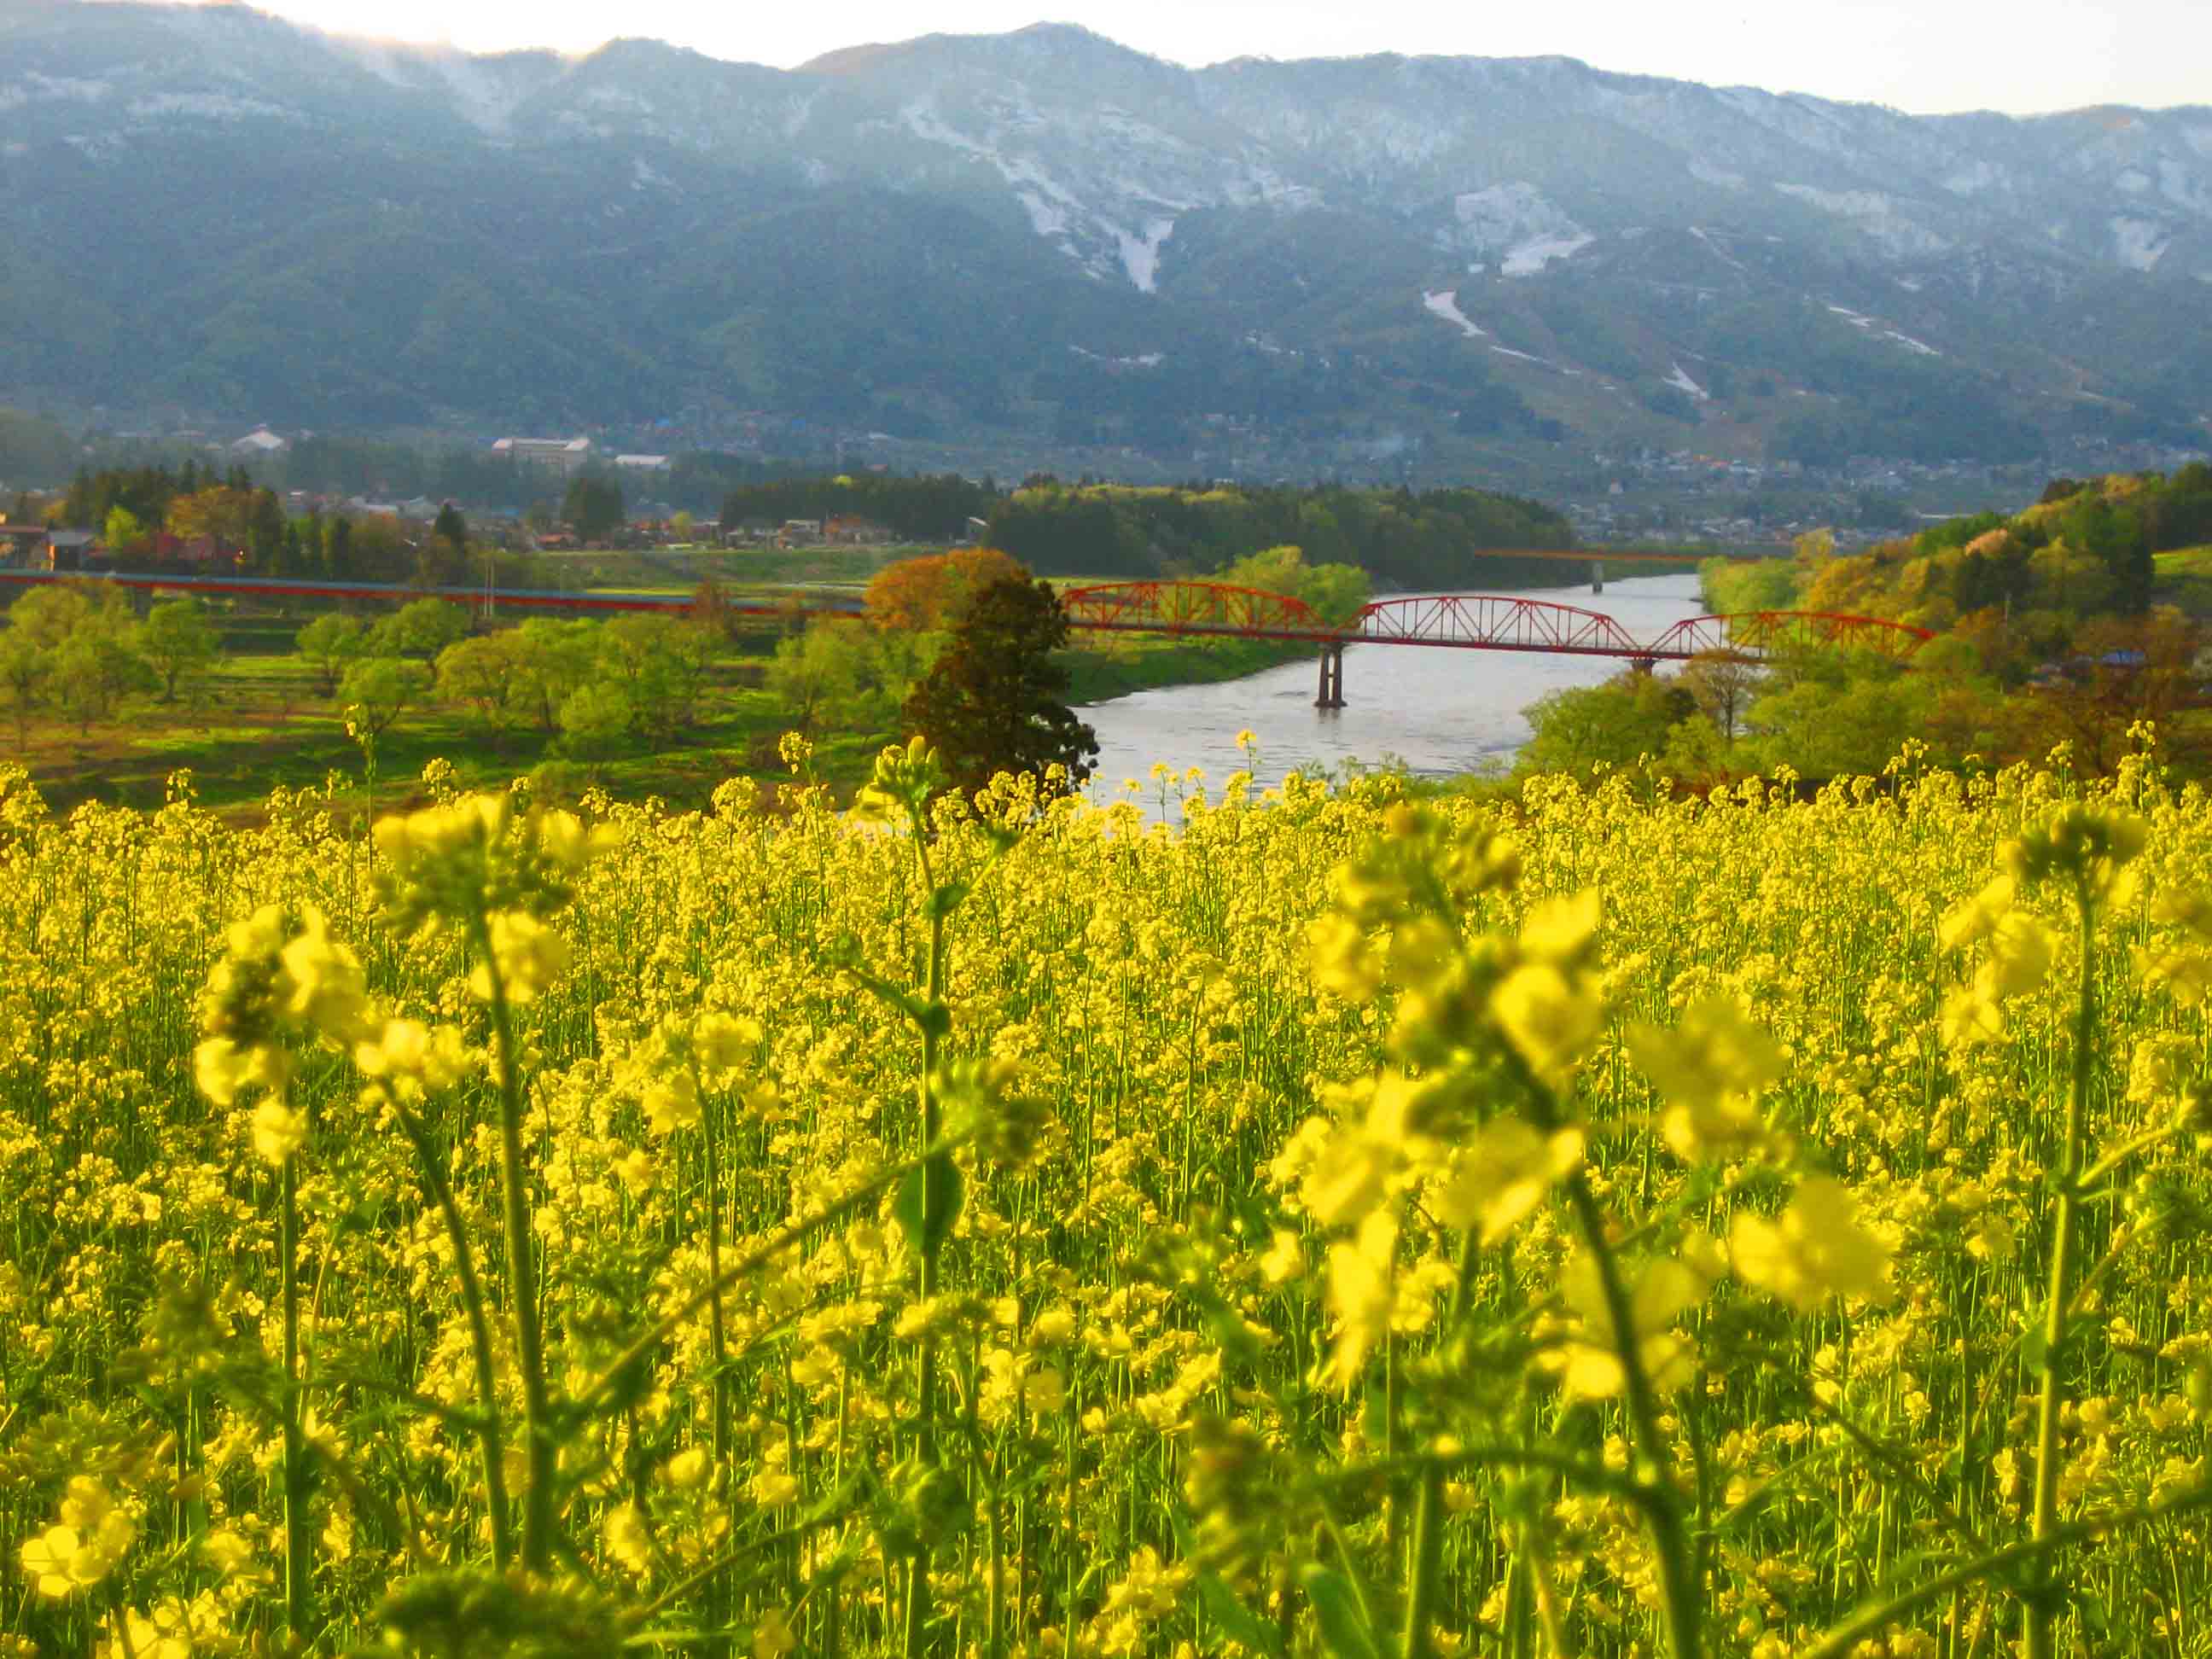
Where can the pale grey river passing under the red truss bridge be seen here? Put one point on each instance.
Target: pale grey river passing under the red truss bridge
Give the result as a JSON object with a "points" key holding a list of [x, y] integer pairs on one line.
{"points": [[1432, 711]]}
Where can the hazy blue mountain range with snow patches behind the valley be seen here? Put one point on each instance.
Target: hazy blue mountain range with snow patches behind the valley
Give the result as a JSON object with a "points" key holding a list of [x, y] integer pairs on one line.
{"points": [[1047, 238]]}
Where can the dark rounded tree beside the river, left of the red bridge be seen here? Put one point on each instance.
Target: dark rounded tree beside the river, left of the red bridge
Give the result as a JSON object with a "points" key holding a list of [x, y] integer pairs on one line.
{"points": [[992, 702]]}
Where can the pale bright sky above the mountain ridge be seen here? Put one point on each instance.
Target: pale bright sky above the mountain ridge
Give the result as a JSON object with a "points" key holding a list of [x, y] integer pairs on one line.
{"points": [[1917, 54]]}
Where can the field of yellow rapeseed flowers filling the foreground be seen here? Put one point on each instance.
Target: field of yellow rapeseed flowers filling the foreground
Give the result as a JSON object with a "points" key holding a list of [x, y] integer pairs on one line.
{"points": [[1344, 1224]]}
